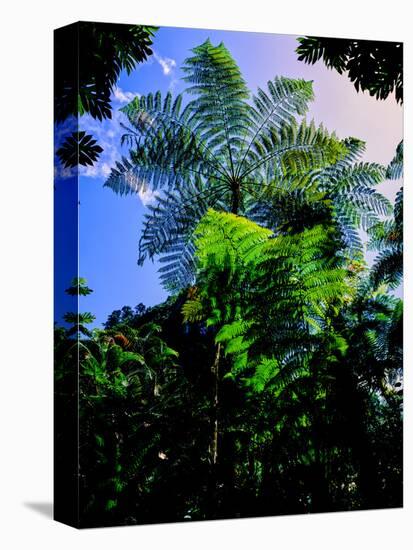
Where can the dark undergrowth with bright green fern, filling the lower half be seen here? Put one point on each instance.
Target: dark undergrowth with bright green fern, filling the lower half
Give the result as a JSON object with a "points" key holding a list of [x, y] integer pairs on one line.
{"points": [[308, 416]]}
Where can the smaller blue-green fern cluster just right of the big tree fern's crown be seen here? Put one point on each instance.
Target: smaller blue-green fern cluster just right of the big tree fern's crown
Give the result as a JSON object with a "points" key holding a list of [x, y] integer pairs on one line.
{"points": [[343, 194]]}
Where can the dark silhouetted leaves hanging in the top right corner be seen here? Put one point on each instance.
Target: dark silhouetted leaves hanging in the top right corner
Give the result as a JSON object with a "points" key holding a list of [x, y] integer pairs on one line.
{"points": [[373, 66]]}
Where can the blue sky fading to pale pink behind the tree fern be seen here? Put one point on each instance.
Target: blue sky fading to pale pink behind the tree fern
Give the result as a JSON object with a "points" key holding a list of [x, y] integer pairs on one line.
{"points": [[109, 225]]}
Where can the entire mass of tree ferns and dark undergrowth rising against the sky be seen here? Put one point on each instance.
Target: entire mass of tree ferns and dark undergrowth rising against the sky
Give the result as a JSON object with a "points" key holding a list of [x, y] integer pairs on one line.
{"points": [[270, 381]]}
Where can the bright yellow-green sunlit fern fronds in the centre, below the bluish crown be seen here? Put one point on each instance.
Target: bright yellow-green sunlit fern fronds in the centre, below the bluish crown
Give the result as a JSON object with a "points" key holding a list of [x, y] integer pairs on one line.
{"points": [[294, 280]]}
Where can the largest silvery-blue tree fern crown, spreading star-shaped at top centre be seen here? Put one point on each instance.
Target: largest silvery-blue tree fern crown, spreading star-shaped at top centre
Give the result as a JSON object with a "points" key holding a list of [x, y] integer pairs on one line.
{"points": [[218, 151]]}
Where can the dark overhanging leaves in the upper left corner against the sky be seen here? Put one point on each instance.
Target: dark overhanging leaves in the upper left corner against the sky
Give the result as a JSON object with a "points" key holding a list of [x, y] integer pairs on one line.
{"points": [[86, 87]]}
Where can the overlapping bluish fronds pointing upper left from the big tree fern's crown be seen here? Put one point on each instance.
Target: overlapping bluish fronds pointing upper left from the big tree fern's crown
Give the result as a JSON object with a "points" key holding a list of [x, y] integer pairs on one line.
{"points": [[167, 151]]}
